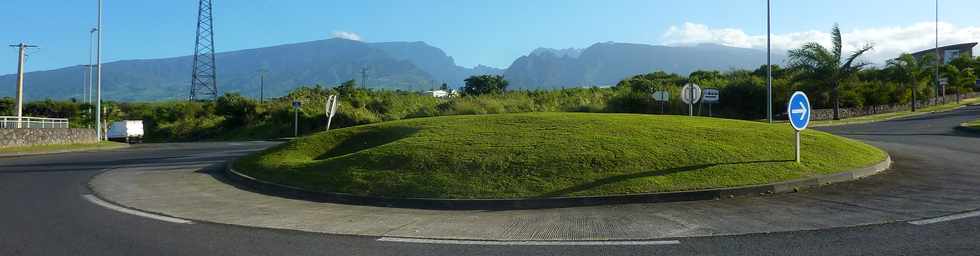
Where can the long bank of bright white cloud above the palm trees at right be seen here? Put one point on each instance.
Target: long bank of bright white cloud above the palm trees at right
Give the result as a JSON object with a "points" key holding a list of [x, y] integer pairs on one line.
{"points": [[889, 42]]}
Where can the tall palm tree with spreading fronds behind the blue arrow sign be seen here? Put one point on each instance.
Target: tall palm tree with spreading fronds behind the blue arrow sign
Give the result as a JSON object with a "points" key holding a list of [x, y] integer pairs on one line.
{"points": [[827, 66]]}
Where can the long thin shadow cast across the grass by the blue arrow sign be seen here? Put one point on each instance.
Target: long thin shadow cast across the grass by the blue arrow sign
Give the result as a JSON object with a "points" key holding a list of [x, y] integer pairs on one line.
{"points": [[626, 177]]}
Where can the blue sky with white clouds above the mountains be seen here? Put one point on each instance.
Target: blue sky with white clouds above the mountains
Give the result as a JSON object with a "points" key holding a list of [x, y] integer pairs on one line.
{"points": [[474, 32]]}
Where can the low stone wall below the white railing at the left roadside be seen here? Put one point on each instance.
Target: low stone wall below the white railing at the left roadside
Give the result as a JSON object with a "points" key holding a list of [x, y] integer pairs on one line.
{"points": [[33, 137]]}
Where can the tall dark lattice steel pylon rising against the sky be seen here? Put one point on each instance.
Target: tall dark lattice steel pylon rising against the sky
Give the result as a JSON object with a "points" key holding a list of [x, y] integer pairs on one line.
{"points": [[204, 82]]}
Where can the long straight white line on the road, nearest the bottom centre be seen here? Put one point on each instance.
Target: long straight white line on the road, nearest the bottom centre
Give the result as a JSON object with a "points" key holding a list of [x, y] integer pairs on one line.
{"points": [[527, 243]]}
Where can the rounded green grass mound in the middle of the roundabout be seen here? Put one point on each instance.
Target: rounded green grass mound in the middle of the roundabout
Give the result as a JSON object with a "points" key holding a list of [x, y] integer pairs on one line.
{"points": [[551, 155]]}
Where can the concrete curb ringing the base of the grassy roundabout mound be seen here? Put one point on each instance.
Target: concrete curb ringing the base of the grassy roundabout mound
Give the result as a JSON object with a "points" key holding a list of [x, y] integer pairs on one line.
{"points": [[256, 185]]}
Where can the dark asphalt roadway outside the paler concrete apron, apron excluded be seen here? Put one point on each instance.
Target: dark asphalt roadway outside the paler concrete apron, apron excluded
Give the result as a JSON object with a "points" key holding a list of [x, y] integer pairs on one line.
{"points": [[44, 213]]}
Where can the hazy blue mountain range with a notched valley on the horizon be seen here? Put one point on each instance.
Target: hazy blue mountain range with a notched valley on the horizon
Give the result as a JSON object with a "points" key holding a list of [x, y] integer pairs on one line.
{"points": [[388, 65]]}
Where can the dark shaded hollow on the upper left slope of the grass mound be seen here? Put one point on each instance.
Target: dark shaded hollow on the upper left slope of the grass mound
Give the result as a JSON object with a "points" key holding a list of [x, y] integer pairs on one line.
{"points": [[367, 140]]}
